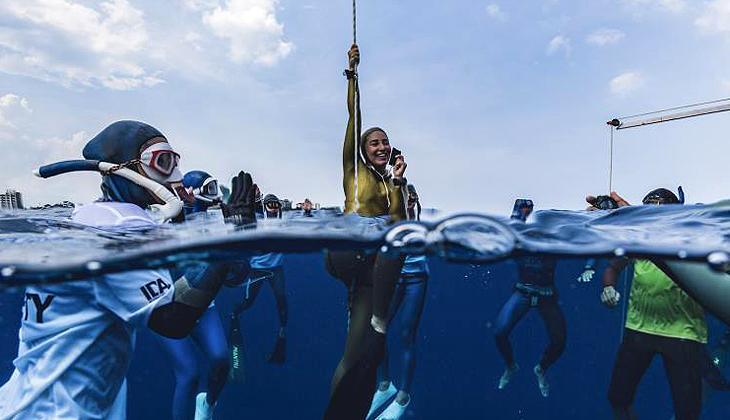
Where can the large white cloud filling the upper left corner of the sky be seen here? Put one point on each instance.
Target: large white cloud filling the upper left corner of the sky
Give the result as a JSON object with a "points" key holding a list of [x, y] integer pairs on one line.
{"points": [[69, 43]]}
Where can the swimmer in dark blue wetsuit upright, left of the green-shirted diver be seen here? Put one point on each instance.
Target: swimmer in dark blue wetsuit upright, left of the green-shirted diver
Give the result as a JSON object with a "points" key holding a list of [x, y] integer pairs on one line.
{"points": [[535, 288]]}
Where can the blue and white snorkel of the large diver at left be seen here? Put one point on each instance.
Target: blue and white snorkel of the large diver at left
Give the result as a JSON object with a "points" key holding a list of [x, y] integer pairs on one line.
{"points": [[167, 211]]}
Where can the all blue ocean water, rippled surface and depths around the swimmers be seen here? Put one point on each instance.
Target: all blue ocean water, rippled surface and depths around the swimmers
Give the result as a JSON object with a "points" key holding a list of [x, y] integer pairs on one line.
{"points": [[472, 276]]}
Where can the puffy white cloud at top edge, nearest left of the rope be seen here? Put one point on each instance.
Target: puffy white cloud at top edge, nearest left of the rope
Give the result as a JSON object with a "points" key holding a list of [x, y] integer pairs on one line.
{"points": [[254, 33]]}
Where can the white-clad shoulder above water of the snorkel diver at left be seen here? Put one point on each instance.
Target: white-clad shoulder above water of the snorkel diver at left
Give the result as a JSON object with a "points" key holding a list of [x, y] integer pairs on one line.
{"points": [[111, 214]]}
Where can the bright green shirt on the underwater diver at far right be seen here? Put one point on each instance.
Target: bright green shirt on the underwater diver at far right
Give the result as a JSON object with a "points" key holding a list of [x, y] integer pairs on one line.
{"points": [[658, 306]]}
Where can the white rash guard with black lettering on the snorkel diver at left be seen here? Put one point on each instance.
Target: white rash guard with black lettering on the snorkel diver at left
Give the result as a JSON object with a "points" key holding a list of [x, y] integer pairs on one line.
{"points": [[77, 338]]}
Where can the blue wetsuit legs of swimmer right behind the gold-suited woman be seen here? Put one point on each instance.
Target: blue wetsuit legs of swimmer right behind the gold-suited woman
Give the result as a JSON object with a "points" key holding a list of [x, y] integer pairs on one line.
{"points": [[409, 297]]}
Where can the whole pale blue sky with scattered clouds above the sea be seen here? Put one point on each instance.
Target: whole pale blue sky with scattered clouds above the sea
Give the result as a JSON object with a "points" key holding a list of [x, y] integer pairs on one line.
{"points": [[489, 101]]}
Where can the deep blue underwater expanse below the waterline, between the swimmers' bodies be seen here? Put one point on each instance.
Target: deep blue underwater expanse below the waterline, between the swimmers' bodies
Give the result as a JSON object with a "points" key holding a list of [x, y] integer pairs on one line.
{"points": [[458, 364]]}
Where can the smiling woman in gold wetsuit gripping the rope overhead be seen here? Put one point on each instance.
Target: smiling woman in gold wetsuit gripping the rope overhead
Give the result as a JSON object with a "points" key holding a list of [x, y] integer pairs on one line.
{"points": [[370, 192]]}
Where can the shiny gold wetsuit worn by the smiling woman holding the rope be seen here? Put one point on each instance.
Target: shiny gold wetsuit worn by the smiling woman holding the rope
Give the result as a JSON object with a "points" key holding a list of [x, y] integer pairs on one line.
{"points": [[370, 278]]}
